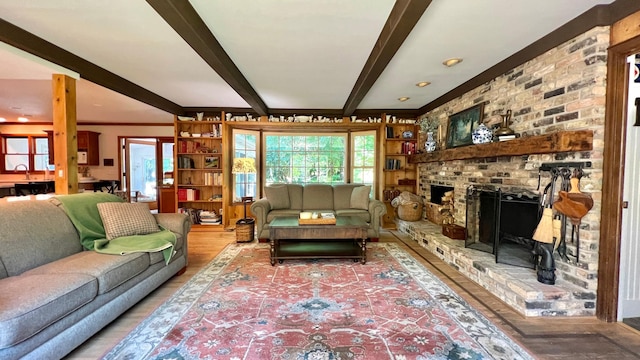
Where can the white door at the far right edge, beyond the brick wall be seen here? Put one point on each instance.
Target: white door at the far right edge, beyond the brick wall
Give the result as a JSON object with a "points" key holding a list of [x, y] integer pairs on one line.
{"points": [[629, 285]]}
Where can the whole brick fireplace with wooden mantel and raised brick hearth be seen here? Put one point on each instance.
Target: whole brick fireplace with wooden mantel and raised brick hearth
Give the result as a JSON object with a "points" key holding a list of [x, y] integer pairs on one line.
{"points": [[561, 90]]}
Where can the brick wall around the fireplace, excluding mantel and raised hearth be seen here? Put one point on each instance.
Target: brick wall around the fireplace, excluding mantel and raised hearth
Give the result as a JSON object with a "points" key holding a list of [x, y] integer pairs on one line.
{"points": [[563, 89]]}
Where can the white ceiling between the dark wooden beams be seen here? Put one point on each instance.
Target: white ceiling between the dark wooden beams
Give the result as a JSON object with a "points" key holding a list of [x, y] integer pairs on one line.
{"points": [[296, 54]]}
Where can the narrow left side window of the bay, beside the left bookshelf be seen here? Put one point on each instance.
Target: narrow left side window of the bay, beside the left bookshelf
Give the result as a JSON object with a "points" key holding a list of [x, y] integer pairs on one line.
{"points": [[245, 146]]}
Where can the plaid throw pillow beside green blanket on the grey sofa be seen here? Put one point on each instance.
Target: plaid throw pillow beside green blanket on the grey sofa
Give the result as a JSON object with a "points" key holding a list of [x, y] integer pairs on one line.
{"points": [[126, 219]]}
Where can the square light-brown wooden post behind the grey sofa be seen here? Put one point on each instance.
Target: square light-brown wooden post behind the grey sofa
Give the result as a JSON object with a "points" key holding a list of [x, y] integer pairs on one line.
{"points": [[64, 134]]}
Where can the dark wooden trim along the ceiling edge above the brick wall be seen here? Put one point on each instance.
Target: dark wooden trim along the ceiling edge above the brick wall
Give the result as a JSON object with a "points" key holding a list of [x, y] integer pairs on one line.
{"points": [[599, 15]]}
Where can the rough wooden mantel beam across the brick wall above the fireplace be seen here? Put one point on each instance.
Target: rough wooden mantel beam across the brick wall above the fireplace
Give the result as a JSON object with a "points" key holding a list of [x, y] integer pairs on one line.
{"points": [[562, 141]]}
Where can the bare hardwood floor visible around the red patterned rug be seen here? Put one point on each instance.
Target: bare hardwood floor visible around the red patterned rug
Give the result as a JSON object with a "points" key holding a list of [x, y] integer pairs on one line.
{"points": [[545, 338]]}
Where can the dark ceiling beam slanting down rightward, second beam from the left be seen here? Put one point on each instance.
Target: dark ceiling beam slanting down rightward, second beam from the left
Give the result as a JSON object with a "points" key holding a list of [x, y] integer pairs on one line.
{"points": [[184, 19]]}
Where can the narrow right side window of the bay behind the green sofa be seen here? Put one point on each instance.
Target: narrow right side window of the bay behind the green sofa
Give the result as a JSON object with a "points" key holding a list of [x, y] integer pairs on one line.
{"points": [[363, 158]]}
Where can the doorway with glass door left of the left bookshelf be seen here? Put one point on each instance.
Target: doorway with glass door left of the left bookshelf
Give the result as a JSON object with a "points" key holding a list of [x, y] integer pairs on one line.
{"points": [[147, 171]]}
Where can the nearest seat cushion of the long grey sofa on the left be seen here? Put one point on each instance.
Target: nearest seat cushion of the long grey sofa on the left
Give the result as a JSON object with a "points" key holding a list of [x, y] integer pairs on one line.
{"points": [[30, 303]]}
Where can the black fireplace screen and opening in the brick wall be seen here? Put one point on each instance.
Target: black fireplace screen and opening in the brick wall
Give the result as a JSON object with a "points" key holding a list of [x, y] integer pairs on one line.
{"points": [[503, 224]]}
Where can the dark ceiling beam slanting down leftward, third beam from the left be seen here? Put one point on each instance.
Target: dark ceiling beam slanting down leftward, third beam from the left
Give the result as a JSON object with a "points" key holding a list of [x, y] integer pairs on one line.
{"points": [[402, 19]]}
